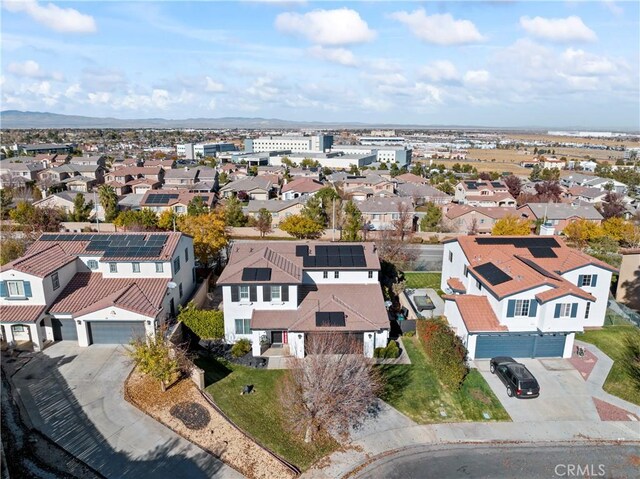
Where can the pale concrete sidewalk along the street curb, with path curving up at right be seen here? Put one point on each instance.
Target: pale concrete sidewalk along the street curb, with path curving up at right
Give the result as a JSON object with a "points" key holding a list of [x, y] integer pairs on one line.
{"points": [[391, 430]]}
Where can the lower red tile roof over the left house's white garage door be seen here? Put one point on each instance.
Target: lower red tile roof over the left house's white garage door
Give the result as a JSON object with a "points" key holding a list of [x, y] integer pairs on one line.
{"points": [[90, 292]]}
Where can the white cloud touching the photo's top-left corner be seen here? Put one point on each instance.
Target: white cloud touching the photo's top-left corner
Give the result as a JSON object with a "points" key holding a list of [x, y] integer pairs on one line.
{"points": [[63, 20]]}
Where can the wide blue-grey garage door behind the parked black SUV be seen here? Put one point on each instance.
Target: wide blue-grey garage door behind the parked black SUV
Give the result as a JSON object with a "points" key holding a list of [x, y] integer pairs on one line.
{"points": [[520, 345]]}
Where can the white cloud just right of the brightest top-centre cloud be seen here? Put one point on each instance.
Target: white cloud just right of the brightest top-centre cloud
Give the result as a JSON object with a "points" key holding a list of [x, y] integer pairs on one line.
{"points": [[440, 29]]}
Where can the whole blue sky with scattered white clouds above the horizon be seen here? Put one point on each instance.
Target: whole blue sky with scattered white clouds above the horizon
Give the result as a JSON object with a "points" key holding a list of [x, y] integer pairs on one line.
{"points": [[481, 63]]}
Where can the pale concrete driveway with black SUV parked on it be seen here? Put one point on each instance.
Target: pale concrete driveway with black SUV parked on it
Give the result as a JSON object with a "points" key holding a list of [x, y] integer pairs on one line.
{"points": [[563, 393]]}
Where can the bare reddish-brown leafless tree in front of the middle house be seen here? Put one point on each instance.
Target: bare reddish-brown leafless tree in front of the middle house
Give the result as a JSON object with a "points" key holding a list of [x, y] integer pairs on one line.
{"points": [[332, 389]]}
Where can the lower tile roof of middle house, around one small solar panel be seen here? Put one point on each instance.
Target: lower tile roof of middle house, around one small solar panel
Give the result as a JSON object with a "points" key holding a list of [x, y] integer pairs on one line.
{"points": [[362, 304]]}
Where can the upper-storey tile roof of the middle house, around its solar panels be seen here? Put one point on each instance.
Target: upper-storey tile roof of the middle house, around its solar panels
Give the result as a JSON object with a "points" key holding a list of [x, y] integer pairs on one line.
{"points": [[281, 255]]}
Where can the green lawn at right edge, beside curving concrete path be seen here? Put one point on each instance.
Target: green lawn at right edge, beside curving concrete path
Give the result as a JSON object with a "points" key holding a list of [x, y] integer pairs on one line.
{"points": [[610, 341]]}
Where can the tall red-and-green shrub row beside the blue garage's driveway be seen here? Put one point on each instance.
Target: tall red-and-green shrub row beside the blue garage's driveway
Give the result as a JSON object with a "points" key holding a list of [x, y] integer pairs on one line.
{"points": [[445, 350]]}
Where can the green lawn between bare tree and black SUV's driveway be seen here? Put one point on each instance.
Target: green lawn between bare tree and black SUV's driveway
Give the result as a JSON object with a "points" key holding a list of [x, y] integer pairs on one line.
{"points": [[416, 392]]}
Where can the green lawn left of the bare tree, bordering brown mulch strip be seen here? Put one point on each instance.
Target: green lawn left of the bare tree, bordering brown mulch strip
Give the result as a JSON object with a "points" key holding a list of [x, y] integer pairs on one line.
{"points": [[259, 414]]}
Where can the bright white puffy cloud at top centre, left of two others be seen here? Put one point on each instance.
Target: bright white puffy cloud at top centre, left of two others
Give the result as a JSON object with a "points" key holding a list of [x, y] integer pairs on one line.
{"points": [[326, 27]]}
